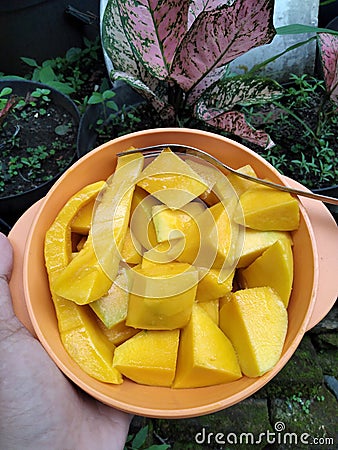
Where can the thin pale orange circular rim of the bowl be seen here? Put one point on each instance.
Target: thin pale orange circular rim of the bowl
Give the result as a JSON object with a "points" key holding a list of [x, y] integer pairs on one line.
{"points": [[165, 412]]}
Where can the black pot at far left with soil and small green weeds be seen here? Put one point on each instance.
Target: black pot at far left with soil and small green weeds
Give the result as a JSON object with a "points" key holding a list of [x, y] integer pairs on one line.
{"points": [[38, 129]]}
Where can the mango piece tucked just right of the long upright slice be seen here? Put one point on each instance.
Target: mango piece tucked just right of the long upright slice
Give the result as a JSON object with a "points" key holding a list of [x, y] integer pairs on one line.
{"points": [[141, 222]]}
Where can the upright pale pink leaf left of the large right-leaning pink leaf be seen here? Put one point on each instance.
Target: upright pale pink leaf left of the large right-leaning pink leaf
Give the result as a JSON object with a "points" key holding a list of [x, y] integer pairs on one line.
{"points": [[154, 29]]}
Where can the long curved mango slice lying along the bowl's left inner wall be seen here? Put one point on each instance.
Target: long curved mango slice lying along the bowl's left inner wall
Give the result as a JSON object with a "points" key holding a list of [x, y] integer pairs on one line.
{"points": [[81, 337]]}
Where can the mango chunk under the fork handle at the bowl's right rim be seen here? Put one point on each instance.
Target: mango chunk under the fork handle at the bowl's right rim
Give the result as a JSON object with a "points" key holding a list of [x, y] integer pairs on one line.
{"points": [[268, 209]]}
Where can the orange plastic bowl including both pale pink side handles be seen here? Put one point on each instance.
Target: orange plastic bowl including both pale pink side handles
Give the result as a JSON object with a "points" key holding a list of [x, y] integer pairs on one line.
{"points": [[313, 294]]}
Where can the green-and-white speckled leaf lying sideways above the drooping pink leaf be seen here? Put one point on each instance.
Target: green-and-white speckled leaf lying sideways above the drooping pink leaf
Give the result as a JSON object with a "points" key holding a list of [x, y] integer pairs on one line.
{"points": [[241, 90]]}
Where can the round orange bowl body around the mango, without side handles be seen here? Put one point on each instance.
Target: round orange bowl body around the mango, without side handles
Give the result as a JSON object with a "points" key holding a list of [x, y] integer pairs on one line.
{"points": [[129, 396]]}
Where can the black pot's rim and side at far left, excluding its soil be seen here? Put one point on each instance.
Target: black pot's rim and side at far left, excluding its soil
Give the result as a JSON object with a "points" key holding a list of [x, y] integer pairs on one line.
{"points": [[13, 206]]}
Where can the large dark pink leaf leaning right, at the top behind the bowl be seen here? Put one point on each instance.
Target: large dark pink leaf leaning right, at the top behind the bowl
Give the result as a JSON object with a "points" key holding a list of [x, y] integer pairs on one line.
{"points": [[217, 37]]}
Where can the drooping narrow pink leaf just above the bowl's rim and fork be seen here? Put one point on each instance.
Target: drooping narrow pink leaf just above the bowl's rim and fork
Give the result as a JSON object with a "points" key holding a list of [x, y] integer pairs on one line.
{"points": [[233, 122]]}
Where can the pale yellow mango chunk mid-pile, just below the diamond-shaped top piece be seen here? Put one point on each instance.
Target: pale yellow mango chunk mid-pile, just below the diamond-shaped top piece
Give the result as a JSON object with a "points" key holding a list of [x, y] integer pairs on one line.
{"points": [[172, 224]]}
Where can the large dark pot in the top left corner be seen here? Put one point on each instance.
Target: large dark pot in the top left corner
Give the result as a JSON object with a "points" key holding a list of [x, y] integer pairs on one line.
{"points": [[43, 29]]}
